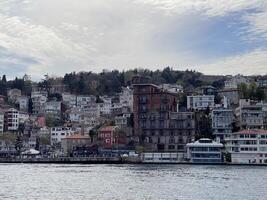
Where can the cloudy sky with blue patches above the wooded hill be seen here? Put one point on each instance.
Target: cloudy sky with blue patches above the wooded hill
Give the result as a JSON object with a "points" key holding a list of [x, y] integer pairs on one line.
{"points": [[59, 36]]}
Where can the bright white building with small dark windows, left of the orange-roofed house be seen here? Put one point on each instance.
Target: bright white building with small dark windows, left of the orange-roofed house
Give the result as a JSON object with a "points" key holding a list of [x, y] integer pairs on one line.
{"points": [[57, 133]]}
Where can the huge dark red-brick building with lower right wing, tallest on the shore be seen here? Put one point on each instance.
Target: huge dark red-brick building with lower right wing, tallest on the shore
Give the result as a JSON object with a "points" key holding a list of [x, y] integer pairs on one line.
{"points": [[157, 124]]}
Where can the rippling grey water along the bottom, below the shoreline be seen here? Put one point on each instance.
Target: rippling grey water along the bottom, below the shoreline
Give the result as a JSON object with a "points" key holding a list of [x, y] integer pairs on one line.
{"points": [[183, 182]]}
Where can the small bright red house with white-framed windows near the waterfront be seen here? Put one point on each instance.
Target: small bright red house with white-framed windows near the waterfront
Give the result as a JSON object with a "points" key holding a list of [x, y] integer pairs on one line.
{"points": [[108, 136]]}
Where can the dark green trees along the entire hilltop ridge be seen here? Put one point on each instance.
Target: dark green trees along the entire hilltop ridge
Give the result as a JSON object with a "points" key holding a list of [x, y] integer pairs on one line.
{"points": [[111, 82]]}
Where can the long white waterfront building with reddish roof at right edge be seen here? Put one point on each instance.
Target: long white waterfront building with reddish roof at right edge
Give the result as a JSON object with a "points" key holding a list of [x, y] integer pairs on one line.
{"points": [[247, 146]]}
